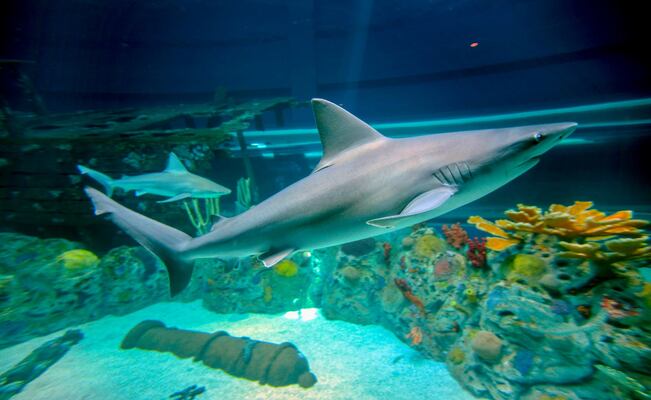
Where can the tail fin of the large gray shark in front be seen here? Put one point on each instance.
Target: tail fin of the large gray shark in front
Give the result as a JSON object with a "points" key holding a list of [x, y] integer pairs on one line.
{"points": [[162, 240]]}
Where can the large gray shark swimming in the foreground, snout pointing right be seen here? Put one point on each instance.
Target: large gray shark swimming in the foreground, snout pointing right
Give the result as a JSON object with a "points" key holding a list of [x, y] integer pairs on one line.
{"points": [[366, 184]]}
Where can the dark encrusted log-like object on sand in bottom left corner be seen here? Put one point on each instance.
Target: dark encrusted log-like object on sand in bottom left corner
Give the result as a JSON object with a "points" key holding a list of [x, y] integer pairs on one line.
{"points": [[36, 363]]}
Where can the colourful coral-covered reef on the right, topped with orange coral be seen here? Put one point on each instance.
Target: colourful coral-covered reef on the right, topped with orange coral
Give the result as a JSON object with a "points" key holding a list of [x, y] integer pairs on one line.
{"points": [[552, 305]]}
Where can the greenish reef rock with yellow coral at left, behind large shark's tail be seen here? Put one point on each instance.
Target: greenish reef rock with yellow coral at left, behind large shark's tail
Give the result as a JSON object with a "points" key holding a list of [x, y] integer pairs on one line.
{"points": [[47, 285]]}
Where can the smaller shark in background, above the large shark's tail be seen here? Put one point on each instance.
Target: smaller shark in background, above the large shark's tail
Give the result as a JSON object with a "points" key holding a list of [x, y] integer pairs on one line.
{"points": [[175, 183]]}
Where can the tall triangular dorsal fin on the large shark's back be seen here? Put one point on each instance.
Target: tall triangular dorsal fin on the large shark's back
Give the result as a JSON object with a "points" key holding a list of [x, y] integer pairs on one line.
{"points": [[339, 130]]}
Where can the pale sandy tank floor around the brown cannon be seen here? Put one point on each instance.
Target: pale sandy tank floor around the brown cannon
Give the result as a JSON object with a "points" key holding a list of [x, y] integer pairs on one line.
{"points": [[350, 361]]}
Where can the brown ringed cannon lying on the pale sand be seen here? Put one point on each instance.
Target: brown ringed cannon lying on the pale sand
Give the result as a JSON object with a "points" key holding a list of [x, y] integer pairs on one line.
{"points": [[268, 363]]}
